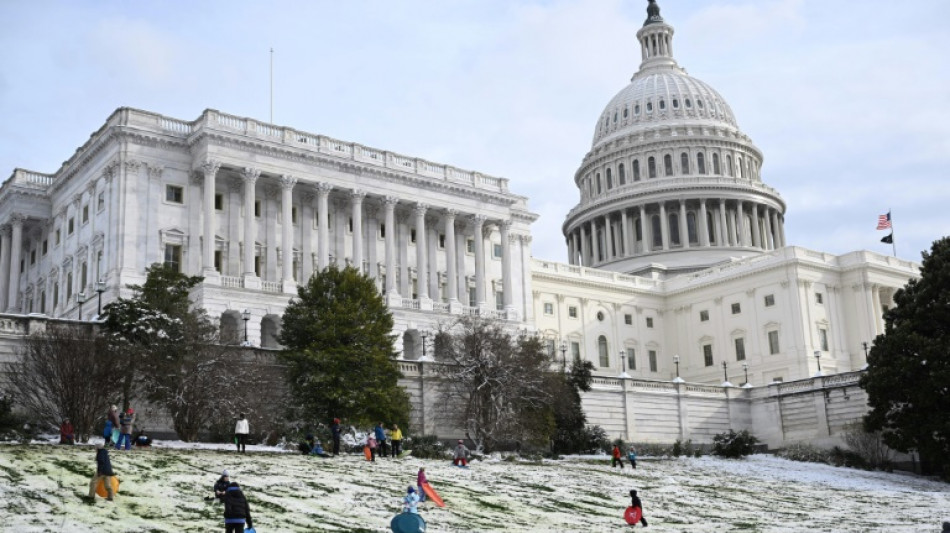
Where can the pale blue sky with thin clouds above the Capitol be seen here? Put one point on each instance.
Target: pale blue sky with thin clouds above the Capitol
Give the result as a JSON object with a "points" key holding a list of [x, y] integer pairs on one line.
{"points": [[848, 101]]}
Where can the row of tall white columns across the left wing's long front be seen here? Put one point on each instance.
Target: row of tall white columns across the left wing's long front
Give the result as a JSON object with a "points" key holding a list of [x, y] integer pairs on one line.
{"points": [[389, 203]]}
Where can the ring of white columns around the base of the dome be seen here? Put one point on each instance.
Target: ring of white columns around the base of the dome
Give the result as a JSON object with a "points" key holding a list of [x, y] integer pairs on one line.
{"points": [[728, 229]]}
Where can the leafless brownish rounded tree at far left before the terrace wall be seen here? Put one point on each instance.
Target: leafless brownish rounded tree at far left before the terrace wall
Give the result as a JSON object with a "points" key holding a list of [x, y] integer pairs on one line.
{"points": [[67, 371]]}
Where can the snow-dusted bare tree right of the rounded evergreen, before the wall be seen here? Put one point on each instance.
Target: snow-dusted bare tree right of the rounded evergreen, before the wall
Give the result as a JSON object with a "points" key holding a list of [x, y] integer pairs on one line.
{"points": [[493, 384]]}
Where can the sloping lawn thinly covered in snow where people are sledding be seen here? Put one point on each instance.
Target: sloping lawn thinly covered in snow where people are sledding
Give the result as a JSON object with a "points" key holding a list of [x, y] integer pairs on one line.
{"points": [[163, 489]]}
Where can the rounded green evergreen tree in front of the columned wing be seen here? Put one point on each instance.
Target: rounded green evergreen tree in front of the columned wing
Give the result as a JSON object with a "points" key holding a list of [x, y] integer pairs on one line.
{"points": [[339, 351]]}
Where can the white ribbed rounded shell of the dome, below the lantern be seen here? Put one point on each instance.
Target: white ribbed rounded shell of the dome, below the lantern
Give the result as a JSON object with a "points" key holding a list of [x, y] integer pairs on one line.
{"points": [[666, 95]]}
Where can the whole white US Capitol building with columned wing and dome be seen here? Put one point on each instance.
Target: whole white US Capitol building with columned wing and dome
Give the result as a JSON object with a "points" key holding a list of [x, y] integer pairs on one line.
{"points": [[676, 253]]}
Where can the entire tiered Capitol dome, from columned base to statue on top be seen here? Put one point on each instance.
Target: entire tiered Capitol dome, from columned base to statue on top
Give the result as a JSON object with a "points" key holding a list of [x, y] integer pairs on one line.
{"points": [[670, 184]]}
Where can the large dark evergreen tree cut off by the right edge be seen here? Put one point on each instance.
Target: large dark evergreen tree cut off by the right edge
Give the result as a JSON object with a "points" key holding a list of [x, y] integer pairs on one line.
{"points": [[908, 377]]}
